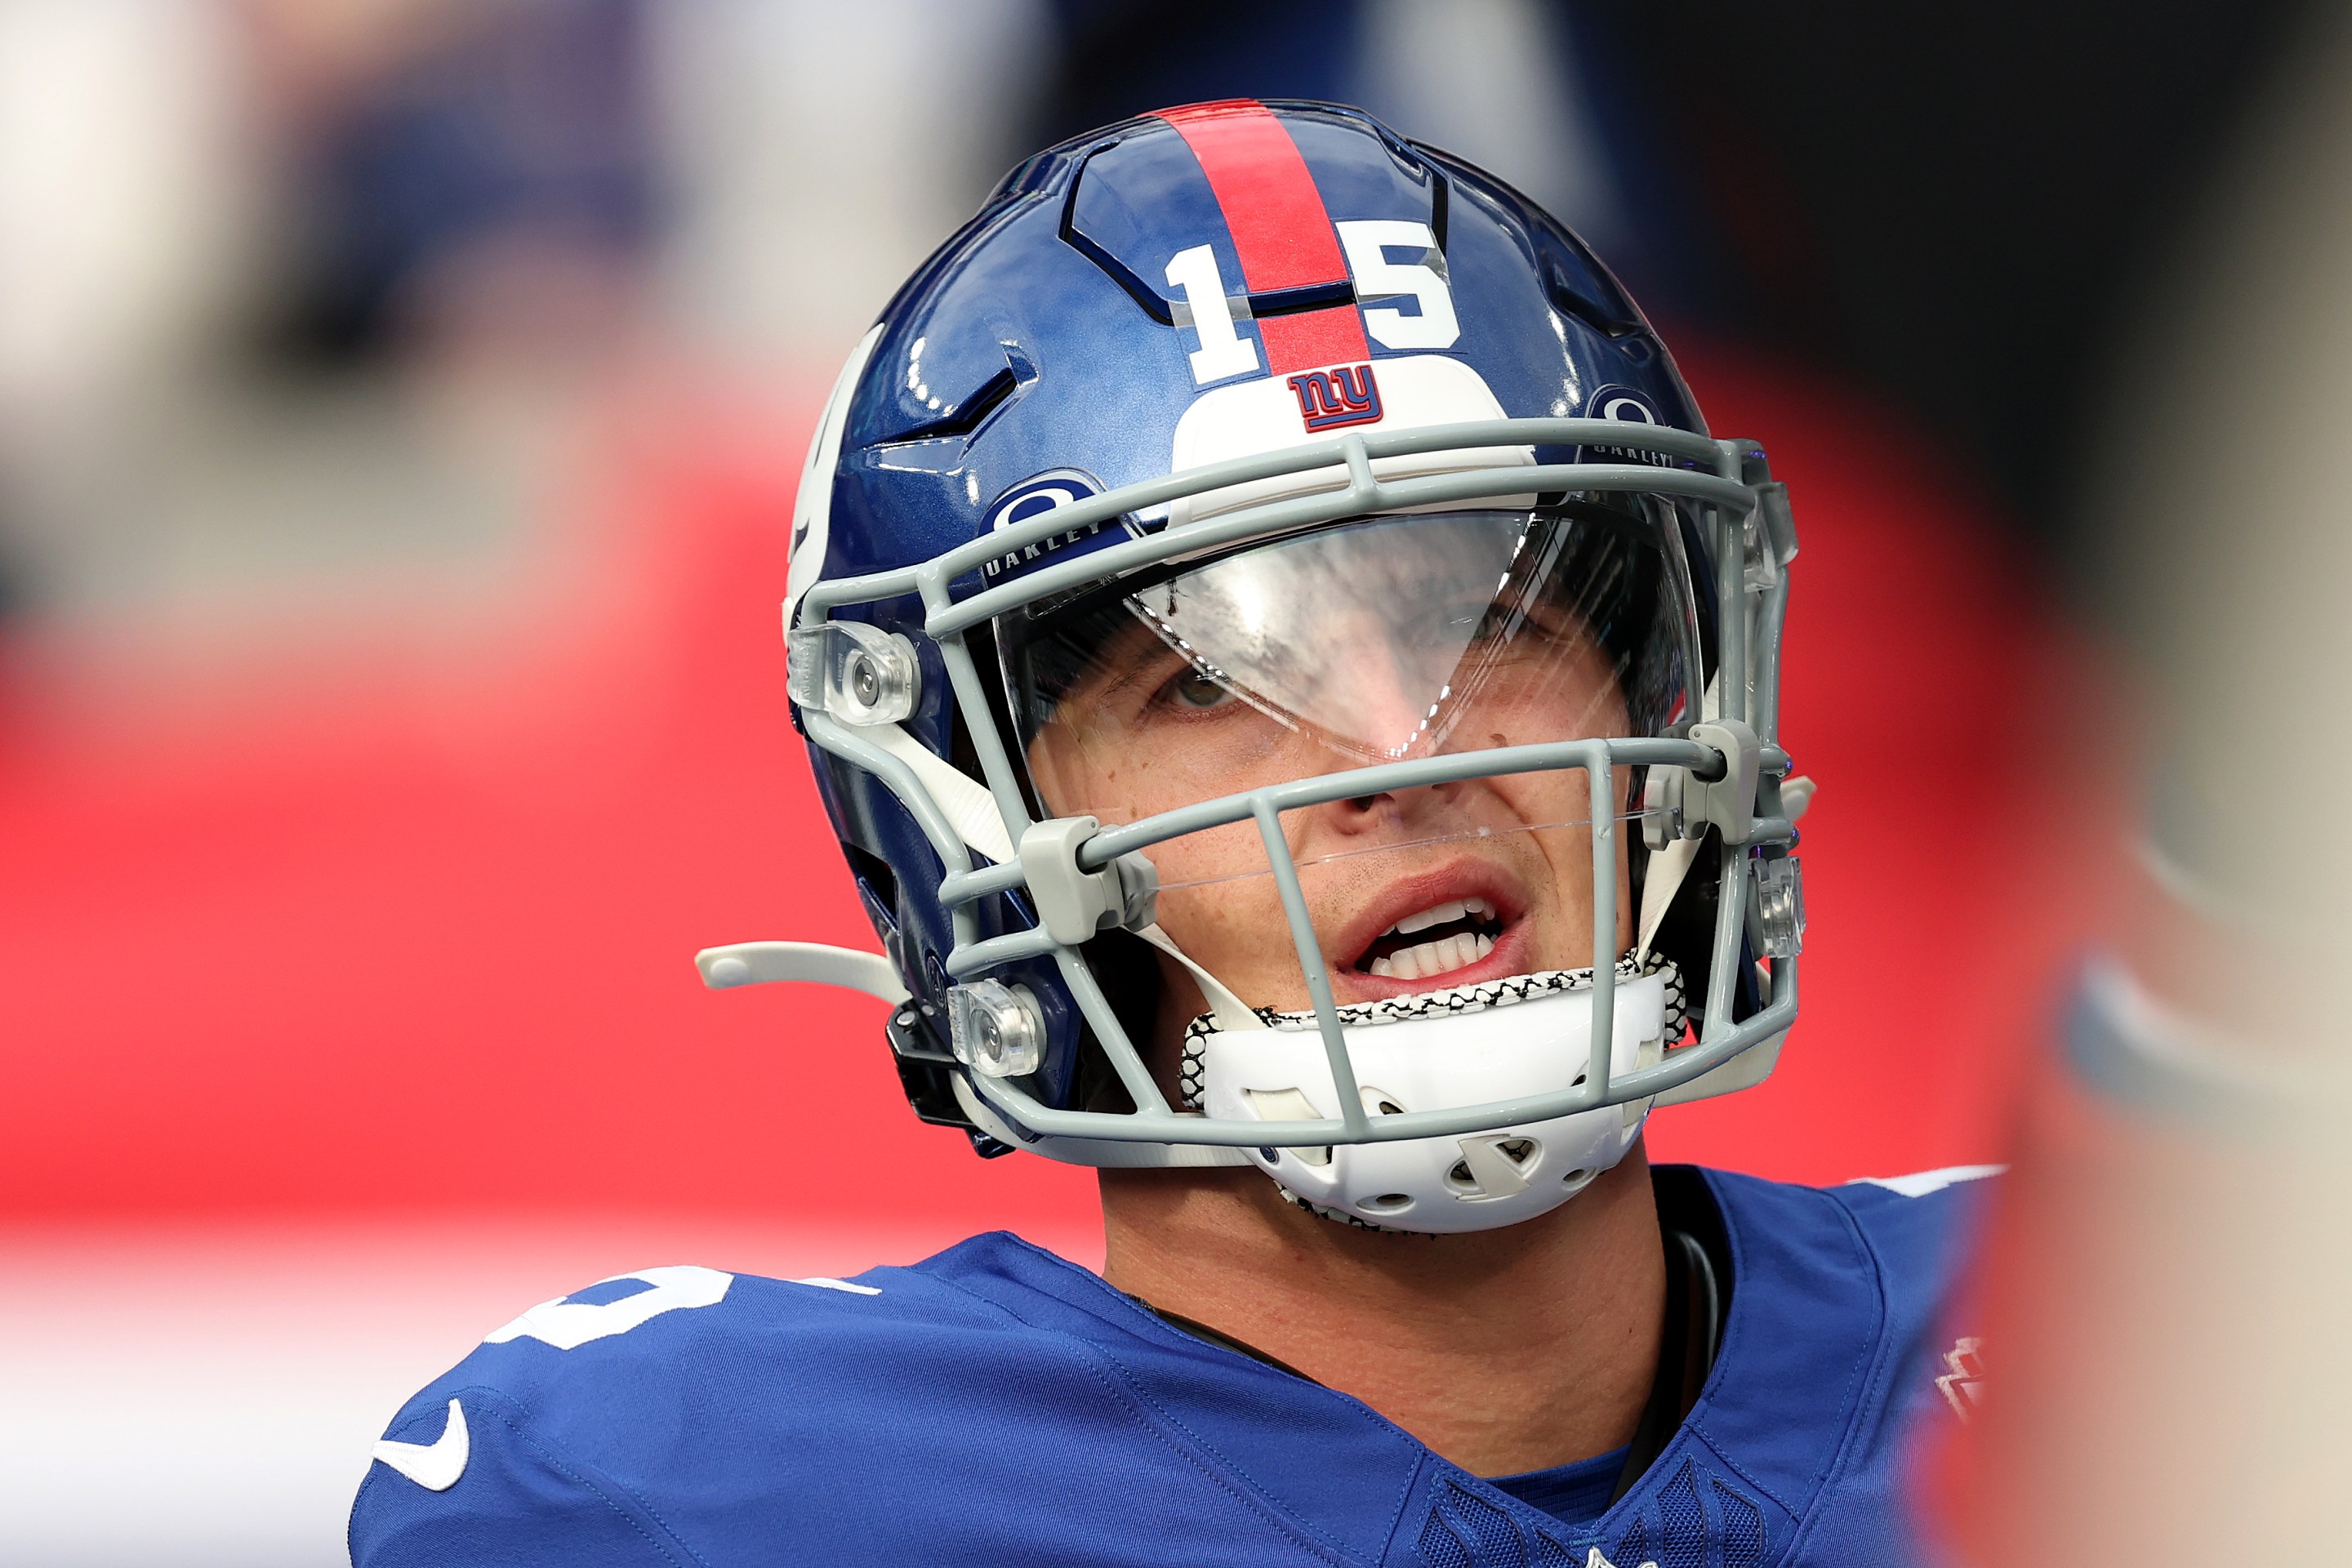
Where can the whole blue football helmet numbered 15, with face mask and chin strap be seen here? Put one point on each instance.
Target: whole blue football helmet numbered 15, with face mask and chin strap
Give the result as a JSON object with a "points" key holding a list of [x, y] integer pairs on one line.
{"points": [[1257, 523]]}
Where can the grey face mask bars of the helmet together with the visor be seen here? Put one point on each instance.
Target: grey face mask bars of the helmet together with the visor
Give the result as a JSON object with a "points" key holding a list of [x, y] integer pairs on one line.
{"points": [[1363, 641]]}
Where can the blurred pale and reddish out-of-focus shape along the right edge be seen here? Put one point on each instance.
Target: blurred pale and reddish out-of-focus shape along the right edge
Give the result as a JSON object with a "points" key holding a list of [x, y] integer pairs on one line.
{"points": [[2165, 1374]]}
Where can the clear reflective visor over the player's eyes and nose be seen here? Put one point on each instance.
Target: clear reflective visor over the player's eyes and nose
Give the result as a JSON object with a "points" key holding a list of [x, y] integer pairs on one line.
{"points": [[1377, 641]]}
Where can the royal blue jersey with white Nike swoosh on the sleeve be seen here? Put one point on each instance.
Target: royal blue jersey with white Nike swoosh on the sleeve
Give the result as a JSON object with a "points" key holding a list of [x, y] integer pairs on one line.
{"points": [[998, 1405]]}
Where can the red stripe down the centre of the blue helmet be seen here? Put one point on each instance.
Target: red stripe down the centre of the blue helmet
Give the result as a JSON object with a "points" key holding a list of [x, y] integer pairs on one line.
{"points": [[1278, 227]]}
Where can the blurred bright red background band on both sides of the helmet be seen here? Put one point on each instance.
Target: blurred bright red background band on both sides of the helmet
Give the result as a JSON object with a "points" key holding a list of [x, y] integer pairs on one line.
{"points": [[375, 934]]}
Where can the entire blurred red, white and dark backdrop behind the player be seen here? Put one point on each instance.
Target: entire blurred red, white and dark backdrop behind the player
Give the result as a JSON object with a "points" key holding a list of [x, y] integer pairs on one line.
{"points": [[399, 415]]}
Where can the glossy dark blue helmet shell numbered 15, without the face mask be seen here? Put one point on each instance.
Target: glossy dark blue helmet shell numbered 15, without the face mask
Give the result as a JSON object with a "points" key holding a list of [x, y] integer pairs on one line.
{"points": [[1048, 342]]}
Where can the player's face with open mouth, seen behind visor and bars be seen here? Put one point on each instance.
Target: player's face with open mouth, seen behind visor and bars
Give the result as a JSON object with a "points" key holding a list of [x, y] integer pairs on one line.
{"points": [[1358, 650]]}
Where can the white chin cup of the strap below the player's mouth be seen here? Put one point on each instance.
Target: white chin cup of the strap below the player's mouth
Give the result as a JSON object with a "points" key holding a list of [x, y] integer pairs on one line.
{"points": [[1492, 1050]]}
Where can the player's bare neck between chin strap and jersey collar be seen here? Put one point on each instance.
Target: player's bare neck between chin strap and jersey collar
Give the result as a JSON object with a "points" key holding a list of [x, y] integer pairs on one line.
{"points": [[1502, 1351]]}
